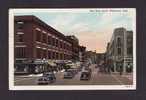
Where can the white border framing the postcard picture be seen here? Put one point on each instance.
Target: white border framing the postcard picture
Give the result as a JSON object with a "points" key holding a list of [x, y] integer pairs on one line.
{"points": [[67, 87]]}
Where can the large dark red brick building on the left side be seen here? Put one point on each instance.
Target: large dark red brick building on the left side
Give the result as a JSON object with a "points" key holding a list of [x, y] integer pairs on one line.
{"points": [[37, 42]]}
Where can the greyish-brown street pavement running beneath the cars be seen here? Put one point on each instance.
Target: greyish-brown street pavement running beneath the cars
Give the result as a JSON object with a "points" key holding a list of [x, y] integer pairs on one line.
{"points": [[97, 78]]}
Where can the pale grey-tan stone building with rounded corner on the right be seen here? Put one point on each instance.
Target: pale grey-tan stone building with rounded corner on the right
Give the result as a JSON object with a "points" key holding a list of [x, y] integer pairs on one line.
{"points": [[119, 53]]}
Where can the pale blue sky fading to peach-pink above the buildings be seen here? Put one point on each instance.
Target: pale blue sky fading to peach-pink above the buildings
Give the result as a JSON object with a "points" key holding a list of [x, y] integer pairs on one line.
{"points": [[93, 29]]}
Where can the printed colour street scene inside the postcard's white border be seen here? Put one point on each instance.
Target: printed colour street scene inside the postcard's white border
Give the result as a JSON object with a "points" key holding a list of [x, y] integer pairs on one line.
{"points": [[74, 51]]}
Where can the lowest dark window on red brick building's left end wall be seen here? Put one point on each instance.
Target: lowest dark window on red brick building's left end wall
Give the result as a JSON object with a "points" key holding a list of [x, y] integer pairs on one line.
{"points": [[20, 52]]}
